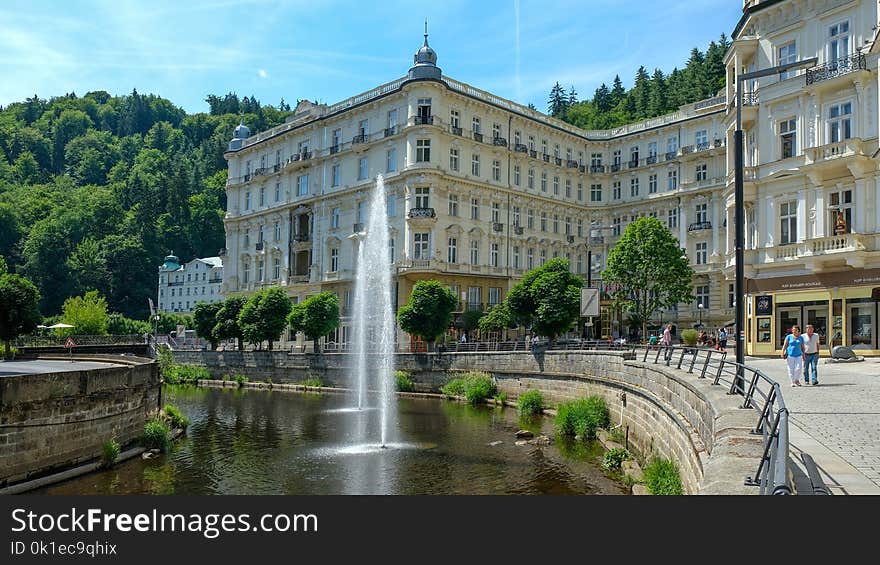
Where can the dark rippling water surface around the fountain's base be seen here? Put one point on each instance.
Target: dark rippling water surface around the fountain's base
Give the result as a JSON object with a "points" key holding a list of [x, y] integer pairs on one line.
{"points": [[245, 441]]}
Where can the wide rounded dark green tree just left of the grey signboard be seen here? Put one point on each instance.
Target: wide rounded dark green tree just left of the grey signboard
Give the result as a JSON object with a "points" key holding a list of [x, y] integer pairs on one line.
{"points": [[547, 298]]}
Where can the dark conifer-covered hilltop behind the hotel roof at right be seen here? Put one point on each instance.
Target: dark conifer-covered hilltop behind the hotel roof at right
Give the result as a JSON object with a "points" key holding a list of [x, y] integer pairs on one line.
{"points": [[651, 95]]}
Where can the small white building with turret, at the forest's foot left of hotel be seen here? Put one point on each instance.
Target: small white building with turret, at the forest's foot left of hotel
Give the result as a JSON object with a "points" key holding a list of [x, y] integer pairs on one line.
{"points": [[181, 287]]}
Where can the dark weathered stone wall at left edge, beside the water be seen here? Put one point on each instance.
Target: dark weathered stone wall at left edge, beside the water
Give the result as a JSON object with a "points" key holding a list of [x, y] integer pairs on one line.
{"points": [[51, 421]]}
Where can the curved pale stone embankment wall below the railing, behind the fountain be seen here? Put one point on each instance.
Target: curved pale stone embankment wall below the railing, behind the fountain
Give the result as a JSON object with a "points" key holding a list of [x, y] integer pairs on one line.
{"points": [[667, 412]]}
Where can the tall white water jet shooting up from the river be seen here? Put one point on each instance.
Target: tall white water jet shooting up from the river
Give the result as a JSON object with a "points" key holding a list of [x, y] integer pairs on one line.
{"points": [[374, 318]]}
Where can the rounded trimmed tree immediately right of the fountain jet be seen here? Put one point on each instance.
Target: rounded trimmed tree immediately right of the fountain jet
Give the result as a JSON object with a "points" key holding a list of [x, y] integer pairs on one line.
{"points": [[429, 311]]}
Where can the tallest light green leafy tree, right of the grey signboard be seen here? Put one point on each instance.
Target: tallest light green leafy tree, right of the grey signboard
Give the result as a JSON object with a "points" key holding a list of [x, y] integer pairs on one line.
{"points": [[649, 269]]}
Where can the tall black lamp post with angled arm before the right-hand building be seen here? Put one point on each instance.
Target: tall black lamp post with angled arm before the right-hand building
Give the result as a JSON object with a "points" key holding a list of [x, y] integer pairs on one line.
{"points": [[739, 204]]}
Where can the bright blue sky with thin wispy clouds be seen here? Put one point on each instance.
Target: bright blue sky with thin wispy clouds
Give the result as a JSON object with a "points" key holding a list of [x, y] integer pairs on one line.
{"points": [[329, 50]]}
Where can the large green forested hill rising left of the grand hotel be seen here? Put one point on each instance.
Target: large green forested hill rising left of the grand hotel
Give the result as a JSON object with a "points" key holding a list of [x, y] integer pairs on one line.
{"points": [[96, 190]]}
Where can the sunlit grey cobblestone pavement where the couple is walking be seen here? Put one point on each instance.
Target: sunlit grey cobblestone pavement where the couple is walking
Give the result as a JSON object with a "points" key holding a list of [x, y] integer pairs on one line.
{"points": [[837, 422]]}
